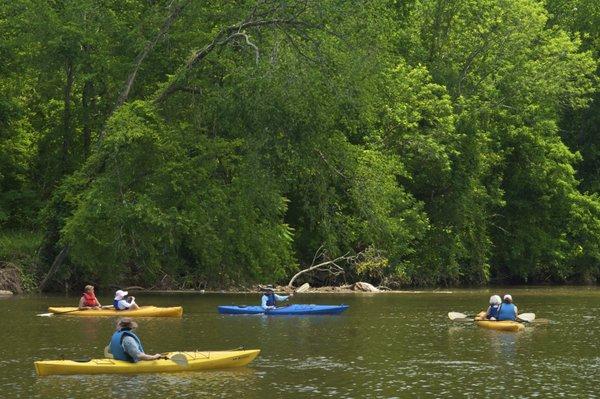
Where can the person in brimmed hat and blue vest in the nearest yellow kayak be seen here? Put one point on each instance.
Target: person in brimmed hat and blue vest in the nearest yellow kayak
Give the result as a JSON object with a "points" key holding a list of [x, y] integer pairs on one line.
{"points": [[126, 345]]}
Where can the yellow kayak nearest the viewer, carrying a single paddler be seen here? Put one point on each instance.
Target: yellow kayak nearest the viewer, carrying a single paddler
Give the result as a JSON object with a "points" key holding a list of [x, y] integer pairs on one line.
{"points": [[195, 361]]}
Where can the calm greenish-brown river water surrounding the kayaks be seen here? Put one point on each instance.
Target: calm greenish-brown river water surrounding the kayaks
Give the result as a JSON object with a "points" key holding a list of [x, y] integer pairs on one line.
{"points": [[383, 346]]}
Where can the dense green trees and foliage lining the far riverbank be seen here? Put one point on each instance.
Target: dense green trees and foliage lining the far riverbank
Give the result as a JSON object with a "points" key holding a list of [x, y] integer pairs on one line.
{"points": [[449, 141]]}
